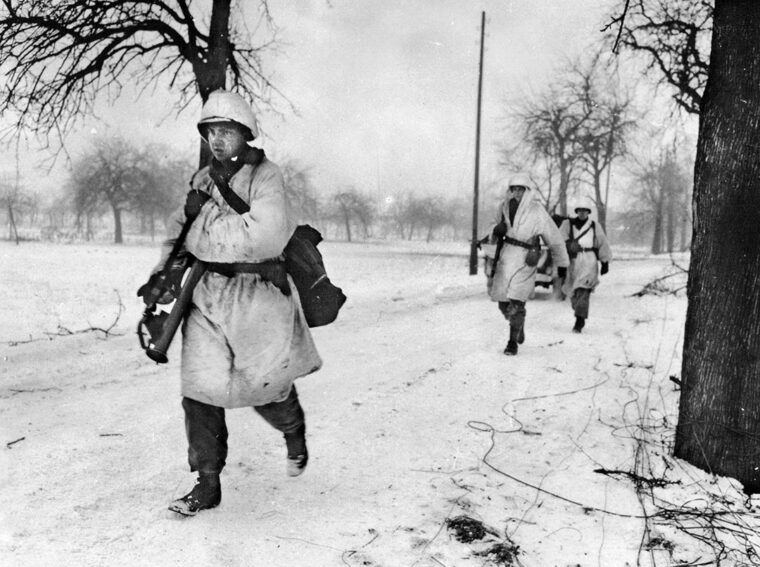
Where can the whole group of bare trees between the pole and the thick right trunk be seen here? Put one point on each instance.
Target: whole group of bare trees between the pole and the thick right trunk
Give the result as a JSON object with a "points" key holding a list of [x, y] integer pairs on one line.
{"points": [[570, 135]]}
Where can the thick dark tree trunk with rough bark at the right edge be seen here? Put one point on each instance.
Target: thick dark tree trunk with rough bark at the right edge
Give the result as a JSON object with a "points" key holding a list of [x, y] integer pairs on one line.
{"points": [[719, 418]]}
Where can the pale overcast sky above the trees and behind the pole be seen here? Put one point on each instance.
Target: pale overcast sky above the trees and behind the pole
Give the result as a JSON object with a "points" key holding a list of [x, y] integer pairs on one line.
{"points": [[386, 89]]}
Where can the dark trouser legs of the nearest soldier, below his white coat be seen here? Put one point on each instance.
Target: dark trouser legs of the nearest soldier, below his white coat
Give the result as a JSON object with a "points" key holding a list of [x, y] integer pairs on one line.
{"points": [[206, 429]]}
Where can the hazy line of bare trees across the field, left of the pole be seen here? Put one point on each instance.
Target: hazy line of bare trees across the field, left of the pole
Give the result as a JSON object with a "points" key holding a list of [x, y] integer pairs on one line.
{"points": [[117, 187]]}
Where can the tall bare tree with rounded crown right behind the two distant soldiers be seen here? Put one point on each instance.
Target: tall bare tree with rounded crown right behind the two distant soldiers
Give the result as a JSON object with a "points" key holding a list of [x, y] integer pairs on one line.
{"points": [[573, 131]]}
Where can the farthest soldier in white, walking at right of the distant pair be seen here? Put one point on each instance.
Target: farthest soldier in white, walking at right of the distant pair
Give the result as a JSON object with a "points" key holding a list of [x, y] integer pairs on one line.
{"points": [[586, 245]]}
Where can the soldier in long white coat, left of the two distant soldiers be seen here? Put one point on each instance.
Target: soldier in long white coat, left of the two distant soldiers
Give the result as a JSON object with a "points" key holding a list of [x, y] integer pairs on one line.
{"points": [[520, 221]]}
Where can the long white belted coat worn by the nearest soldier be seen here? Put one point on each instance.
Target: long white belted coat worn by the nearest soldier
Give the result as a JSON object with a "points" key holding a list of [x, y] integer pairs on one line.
{"points": [[244, 342]]}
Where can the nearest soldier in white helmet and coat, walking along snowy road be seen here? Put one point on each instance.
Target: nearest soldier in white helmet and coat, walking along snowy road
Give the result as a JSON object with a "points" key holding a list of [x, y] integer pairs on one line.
{"points": [[245, 339]]}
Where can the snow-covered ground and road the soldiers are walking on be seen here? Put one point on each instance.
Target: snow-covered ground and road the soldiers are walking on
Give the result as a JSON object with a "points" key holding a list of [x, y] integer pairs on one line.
{"points": [[428, 446]]}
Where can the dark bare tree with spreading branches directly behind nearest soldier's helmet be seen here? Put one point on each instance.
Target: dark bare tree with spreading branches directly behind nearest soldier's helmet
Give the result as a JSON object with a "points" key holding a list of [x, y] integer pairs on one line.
{"points": [[60, 55]]}
